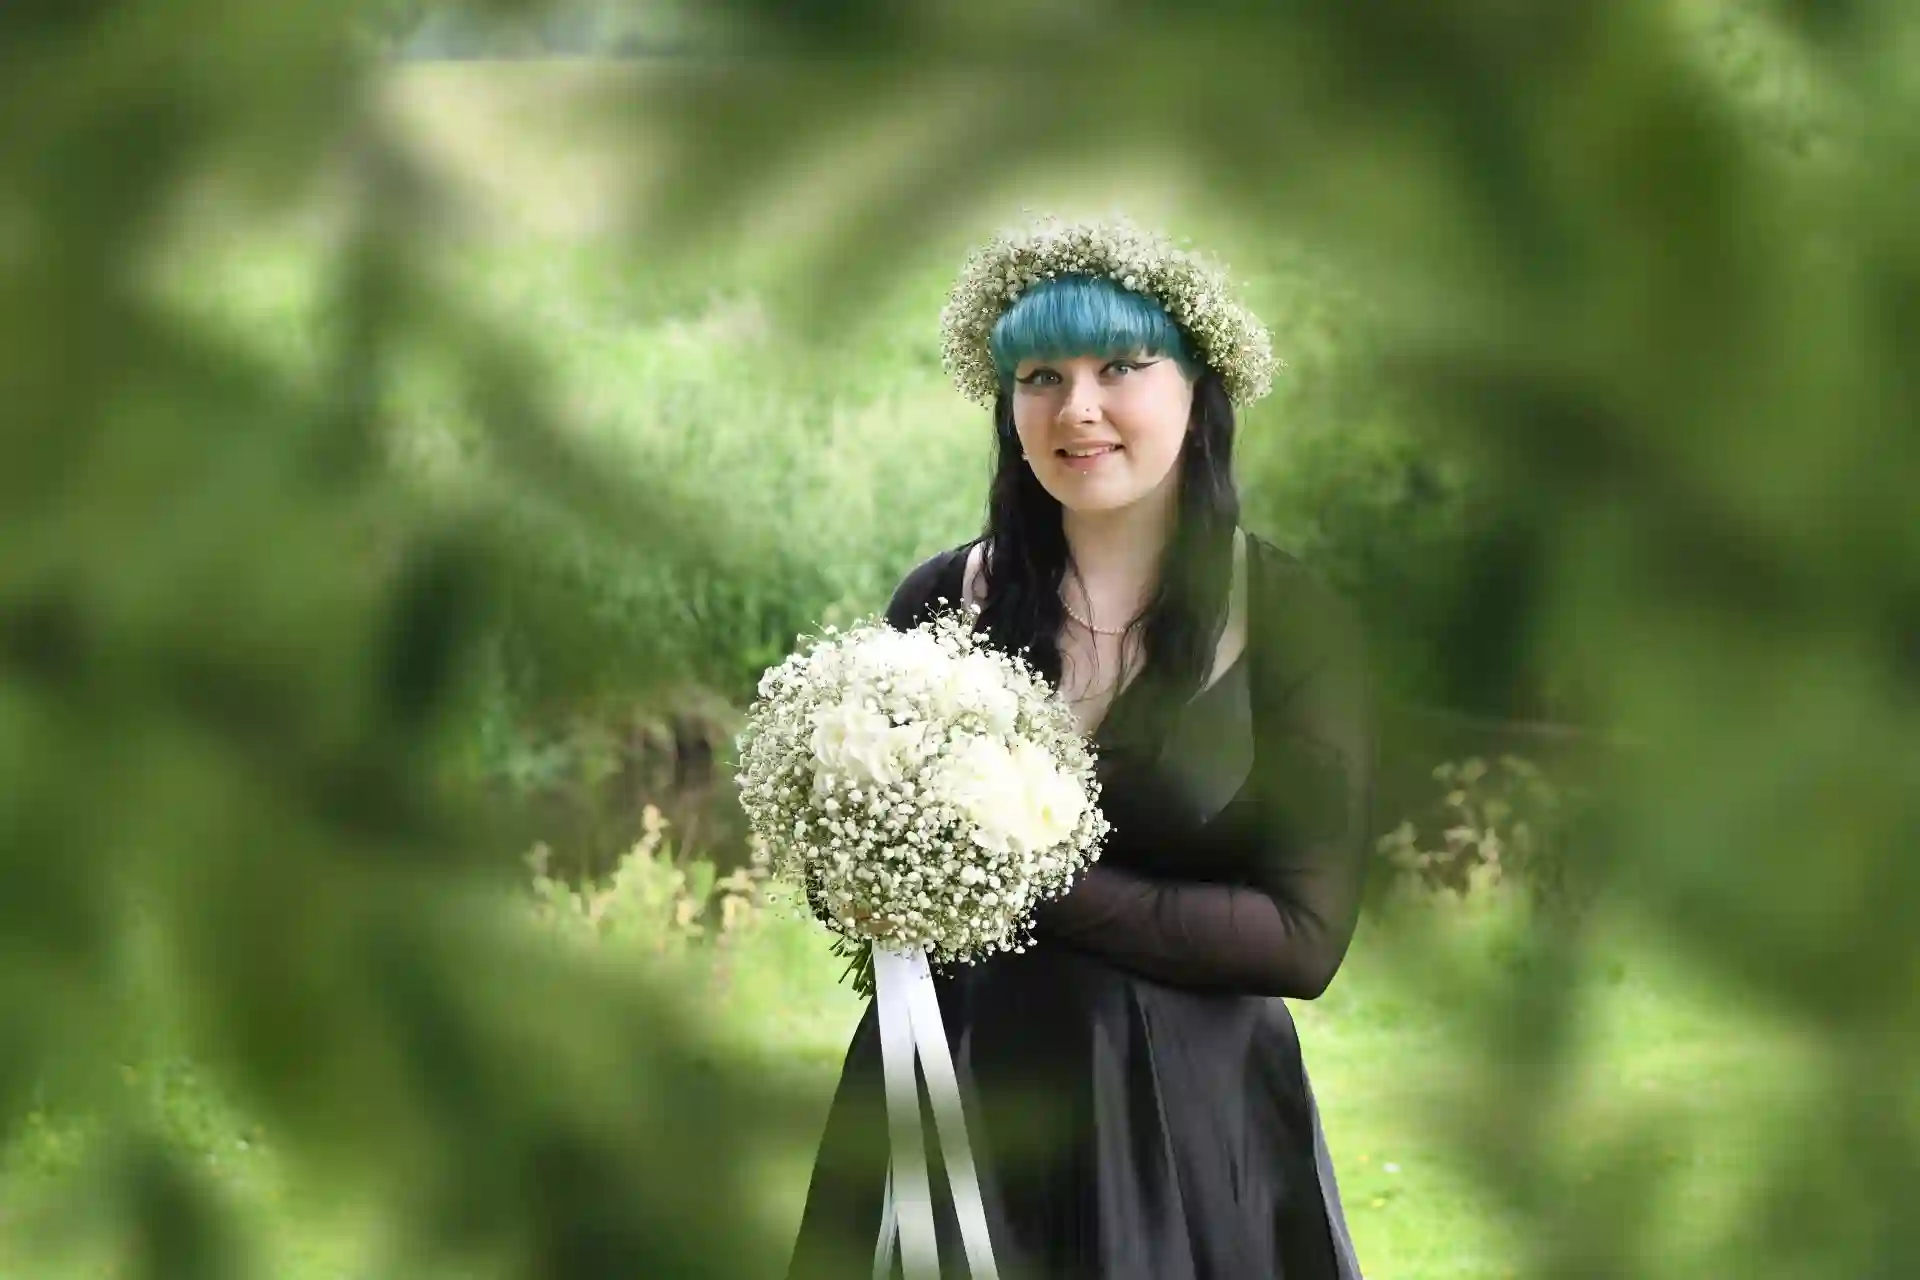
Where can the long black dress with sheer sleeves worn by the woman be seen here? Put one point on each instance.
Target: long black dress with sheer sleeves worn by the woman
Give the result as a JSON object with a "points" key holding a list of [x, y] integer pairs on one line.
{"points": [[1136, 1093]]}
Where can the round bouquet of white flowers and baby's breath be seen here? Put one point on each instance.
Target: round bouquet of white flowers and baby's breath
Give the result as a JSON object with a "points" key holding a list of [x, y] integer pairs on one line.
{"points": [[924, 788]]}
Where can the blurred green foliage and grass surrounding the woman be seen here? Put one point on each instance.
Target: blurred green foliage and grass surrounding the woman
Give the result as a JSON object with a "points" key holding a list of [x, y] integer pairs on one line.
{"points": [[427, 419]]}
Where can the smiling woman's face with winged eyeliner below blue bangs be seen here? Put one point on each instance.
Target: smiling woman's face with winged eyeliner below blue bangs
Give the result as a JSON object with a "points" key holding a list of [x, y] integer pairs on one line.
{"points": [[1103, 433]]}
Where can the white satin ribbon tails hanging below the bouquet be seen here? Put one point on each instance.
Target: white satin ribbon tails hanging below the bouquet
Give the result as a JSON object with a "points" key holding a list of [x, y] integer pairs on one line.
{"points": [[911, 1028]]}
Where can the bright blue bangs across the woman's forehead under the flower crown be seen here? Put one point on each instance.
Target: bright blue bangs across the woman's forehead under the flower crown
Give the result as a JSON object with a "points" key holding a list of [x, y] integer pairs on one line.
{"points": [[1084, 316]]}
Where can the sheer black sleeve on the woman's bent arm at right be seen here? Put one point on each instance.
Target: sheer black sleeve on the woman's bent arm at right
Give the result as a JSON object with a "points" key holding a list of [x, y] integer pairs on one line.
{"points": [[1285, 930]]}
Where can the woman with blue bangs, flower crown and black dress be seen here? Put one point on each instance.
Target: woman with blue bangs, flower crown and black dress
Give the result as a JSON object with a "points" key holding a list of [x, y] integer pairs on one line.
{"points": [[1136, 1091]]}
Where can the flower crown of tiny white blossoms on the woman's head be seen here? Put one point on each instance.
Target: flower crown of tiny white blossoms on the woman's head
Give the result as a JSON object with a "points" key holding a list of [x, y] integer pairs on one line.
{"points": [[1193, 291]]}
